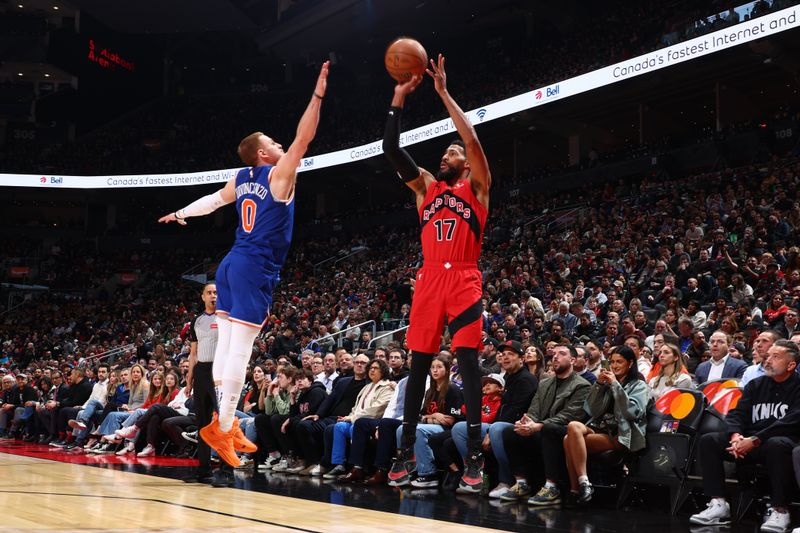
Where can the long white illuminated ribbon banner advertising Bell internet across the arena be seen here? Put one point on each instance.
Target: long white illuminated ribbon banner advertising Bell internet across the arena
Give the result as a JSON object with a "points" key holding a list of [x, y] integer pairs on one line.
{"points": [[717, 41]]}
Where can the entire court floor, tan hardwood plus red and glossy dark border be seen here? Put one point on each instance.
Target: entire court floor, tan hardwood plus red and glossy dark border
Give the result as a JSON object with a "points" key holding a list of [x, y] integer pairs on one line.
{"points": [[46, 489]]}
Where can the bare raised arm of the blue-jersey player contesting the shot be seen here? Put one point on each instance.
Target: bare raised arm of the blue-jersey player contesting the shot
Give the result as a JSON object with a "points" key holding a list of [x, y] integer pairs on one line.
{"points": [[283, 177]]}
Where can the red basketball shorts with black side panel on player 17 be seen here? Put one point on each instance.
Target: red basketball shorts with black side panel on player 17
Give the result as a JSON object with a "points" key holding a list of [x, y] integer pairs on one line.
{"points": [[441, 293]]}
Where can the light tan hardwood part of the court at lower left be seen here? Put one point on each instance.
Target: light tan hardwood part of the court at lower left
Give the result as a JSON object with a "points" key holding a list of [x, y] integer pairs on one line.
{"points": [[44, 495]]}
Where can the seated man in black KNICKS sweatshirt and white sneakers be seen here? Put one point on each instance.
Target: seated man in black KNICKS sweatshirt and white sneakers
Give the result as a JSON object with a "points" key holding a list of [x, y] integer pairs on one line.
{"points": [[763, 429]]}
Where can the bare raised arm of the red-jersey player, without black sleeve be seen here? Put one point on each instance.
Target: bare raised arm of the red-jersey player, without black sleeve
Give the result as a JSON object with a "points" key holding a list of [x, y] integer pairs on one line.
{"points": [[479, 167]]}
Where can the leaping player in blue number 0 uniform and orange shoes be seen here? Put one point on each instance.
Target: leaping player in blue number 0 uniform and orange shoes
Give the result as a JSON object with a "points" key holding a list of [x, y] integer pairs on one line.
{"points": [[246, 277]]}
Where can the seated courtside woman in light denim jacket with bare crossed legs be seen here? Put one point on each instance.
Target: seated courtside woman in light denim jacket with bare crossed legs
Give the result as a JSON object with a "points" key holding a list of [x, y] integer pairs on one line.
{"points": [[617, 404]]}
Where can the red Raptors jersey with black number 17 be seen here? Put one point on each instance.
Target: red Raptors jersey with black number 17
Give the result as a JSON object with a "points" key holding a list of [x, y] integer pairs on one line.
{"points": [[451, 223]]}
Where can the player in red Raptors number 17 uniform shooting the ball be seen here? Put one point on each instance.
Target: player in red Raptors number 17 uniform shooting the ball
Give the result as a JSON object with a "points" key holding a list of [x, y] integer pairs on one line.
{"points": [[453, 207]]}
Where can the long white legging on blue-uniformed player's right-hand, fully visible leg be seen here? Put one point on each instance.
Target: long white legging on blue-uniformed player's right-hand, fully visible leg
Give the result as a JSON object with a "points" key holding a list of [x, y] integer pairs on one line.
{"points": [[239, 352]]}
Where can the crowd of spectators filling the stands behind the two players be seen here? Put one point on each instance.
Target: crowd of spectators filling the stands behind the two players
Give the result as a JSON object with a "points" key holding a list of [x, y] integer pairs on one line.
{"points": [[647, 288]]}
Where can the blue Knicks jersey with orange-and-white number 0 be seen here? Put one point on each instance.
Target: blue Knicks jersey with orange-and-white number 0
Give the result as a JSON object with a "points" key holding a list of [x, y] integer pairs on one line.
{"points": [[265, 224]]}
